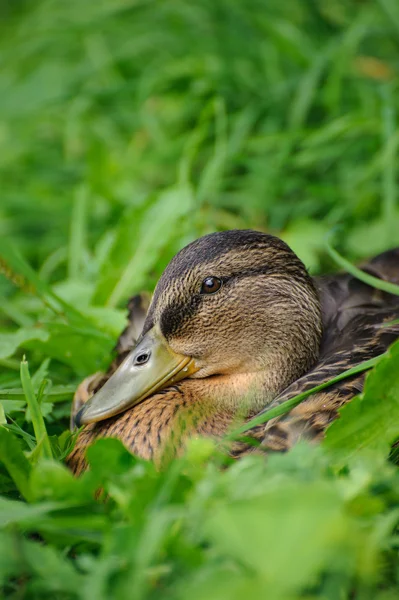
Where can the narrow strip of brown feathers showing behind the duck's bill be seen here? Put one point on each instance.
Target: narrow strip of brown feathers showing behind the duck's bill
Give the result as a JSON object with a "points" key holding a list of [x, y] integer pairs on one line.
{"points": [[137, 310]]}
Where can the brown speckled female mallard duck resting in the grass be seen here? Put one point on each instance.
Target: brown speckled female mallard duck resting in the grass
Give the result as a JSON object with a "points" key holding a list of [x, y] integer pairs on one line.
{"points": [[236, 324]]}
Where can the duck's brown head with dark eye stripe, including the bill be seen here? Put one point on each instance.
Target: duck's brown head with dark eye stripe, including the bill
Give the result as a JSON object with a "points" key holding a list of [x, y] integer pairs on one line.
{"points": [[236, 307]]}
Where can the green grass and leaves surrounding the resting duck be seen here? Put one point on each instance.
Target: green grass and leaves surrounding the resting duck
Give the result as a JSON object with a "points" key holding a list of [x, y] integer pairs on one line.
{"points": [[127, 129]]}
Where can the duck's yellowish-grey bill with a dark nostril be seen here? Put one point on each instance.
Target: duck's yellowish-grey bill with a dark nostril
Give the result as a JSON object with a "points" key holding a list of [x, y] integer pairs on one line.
{"points": [[151, 366]]}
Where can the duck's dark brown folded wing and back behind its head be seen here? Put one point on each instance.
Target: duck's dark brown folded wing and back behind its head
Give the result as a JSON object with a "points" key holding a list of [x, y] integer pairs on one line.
{"points": [[357, 326]]}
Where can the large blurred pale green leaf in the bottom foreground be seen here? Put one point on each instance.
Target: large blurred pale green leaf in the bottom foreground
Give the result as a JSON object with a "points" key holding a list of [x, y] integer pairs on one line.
{"points": [[259, 532]]}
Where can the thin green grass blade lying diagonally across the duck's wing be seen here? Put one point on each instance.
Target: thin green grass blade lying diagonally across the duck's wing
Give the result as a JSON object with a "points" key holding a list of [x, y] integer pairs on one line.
{"points": [[285, 407]]}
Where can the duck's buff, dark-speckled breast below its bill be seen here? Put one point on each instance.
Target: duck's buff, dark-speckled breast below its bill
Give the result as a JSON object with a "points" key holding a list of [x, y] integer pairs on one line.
{"points": [[162, 423]]}
